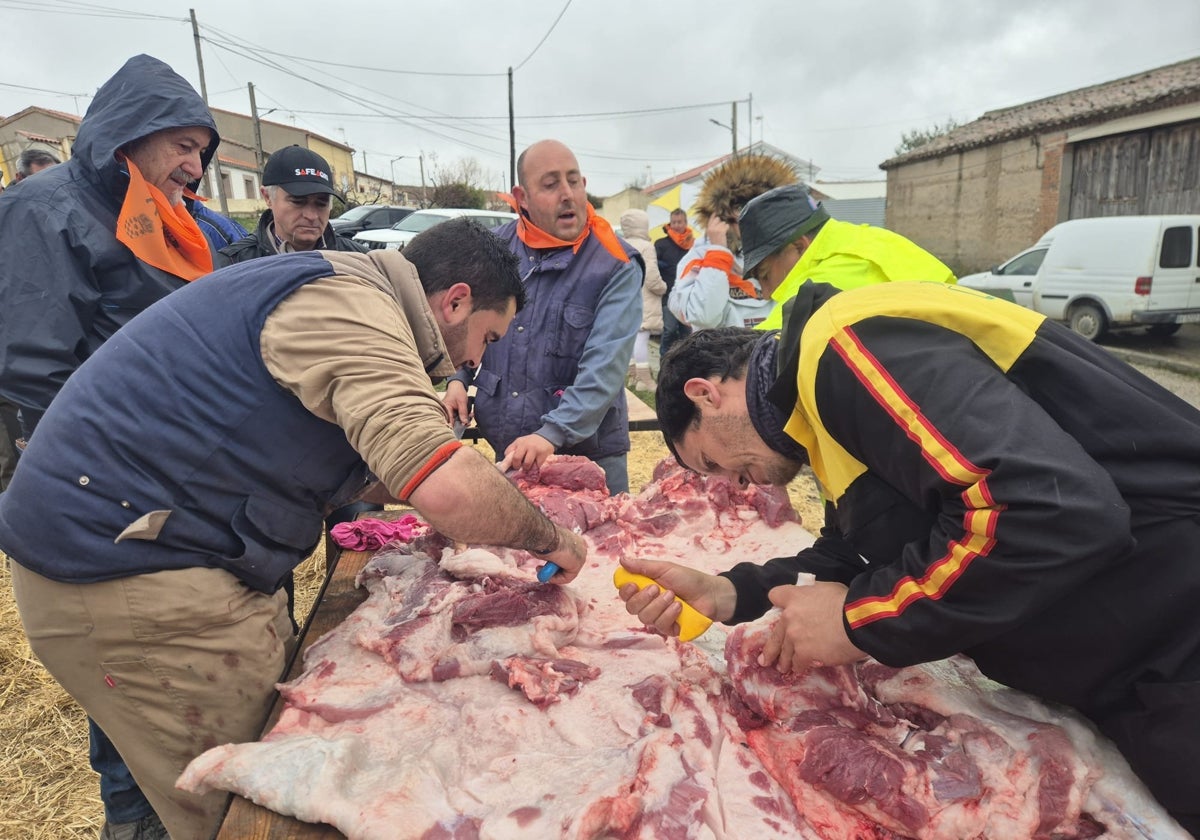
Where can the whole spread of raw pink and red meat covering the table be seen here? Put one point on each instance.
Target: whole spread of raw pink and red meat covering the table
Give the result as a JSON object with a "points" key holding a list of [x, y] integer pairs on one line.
{"points": [[464, 700]]}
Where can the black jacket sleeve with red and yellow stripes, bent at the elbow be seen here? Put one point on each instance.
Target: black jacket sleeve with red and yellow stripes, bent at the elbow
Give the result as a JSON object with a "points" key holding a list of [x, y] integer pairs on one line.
{"points": [[1017, 513]]}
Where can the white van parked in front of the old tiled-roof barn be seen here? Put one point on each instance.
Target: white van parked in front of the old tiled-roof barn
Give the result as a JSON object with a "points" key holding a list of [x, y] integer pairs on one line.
{"points": [[1111, 273]]}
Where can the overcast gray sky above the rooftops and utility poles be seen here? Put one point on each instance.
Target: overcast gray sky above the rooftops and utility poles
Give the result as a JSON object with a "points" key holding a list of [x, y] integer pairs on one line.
{"points": [[632, 87]]}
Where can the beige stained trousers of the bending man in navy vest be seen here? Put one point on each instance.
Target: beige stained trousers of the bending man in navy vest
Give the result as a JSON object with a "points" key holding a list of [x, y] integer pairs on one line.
{"points": [[169, 664]]}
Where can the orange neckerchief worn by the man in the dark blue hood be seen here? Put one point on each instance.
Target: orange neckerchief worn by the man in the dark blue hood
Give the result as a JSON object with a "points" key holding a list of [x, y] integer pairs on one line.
{"points": [[160, 235]]}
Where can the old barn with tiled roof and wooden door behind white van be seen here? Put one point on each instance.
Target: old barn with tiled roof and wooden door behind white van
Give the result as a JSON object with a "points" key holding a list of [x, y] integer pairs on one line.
{"points": [[989, 189]]}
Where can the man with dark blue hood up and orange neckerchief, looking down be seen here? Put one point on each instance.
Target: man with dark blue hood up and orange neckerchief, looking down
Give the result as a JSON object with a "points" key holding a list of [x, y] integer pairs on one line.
{"points": [[85, 248]]}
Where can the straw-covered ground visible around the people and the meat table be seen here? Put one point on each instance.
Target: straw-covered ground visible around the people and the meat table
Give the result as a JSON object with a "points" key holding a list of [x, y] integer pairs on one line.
{"points": [[49, 791]]}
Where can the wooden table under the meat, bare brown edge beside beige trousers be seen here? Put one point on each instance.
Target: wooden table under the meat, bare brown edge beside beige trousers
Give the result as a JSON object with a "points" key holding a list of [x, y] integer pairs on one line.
{"points": [[338, 599]]}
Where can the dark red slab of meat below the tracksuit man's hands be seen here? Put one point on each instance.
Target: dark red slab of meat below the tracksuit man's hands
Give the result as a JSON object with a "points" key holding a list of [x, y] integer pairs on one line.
{"points": [[929, 752]]}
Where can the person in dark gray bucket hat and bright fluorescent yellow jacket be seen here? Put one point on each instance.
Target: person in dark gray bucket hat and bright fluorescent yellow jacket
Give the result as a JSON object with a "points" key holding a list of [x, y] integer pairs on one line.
{"points": [[789, 238]]}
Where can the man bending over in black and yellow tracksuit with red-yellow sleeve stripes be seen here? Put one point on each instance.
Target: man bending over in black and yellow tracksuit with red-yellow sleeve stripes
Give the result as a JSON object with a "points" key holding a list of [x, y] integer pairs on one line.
{"points": [[995, 487]]}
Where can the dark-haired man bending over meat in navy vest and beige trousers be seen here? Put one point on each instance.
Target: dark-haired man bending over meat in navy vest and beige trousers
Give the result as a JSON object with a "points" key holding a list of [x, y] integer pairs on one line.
{"points": [[187, 466]]}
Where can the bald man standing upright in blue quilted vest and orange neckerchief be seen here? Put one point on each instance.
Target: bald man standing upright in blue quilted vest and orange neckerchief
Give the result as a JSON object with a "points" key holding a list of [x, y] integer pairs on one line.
{"points": [[556, 383]]}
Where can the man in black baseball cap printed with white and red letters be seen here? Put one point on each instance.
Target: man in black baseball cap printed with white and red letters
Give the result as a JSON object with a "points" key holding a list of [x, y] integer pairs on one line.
{"points": [[298, 187]]}
